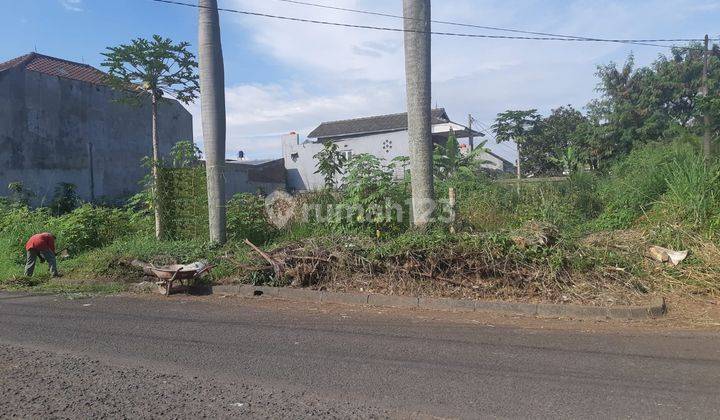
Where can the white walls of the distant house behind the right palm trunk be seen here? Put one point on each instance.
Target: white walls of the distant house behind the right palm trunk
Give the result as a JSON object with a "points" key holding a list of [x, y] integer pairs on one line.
{"points": [[384, 136]]}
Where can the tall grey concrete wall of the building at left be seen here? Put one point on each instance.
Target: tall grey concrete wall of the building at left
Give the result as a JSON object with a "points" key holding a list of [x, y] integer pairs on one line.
{"points": [[48, 126]]}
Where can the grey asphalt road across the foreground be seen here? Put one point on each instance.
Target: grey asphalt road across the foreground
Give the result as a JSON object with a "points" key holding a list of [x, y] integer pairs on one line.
{"points": [[192, 357]]}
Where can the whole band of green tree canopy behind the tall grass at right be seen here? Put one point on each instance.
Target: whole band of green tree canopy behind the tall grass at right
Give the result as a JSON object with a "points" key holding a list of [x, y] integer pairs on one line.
{"points": [[637, 105]]}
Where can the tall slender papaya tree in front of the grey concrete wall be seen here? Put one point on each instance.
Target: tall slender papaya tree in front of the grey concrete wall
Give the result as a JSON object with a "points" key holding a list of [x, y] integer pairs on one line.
{"points": [[153, 68]]}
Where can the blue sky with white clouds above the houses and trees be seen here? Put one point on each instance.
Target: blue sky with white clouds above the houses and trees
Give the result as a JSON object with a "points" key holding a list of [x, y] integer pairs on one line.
{"points": [[288, 76]]}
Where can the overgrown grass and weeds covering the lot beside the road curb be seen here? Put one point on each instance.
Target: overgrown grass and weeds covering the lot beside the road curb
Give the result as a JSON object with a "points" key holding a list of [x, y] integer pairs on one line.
{"points": [[602, 225]]}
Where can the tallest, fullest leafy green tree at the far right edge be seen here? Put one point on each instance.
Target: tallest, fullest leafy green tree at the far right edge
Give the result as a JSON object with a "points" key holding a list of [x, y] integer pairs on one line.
{"points": [[656, 102]]}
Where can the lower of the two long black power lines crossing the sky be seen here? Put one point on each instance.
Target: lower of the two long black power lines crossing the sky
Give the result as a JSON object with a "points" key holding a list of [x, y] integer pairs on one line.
{"points": [[455, 34]]}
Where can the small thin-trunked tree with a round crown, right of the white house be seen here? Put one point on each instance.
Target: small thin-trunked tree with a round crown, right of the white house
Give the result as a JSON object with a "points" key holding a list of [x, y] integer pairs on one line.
{"points": [[518, 126]]}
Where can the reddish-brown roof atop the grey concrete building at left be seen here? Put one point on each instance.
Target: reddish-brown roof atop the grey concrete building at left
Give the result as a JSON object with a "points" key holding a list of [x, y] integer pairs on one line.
{"points": [[56, 67]]}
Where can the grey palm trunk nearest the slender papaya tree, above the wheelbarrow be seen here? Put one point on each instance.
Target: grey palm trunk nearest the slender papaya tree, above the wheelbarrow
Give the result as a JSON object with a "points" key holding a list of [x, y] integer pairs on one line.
{"points": [[212, 96]]}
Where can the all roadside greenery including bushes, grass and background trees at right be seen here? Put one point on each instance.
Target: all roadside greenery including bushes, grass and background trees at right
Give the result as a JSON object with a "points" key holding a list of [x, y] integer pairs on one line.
{"points": [[633, 176]]}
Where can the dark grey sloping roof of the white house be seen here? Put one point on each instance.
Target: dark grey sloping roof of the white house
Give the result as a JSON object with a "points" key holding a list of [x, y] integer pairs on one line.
{"points": [[369, 125]]}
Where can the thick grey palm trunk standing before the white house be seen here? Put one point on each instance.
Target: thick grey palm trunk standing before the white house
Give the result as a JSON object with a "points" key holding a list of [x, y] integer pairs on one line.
{"points": [[417, 74]]}
